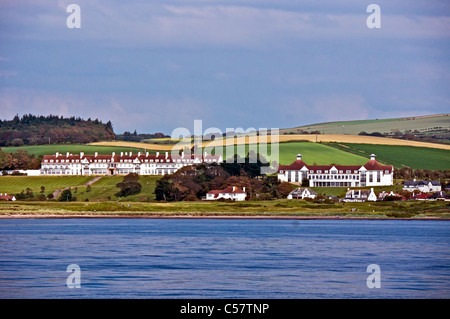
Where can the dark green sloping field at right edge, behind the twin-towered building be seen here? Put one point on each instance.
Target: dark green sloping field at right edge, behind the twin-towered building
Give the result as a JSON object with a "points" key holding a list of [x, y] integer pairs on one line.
{"points": [[402, 156]]}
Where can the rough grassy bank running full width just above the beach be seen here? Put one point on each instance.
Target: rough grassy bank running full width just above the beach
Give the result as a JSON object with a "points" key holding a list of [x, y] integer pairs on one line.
{"points": [[285, 208]]}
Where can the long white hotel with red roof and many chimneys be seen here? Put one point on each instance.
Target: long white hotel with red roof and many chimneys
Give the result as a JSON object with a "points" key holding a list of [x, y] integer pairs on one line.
{"points": [[125, 163]]}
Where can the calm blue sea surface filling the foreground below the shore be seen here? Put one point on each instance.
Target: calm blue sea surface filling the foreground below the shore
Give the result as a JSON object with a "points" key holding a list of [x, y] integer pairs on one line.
{"points": [[205, 258]]}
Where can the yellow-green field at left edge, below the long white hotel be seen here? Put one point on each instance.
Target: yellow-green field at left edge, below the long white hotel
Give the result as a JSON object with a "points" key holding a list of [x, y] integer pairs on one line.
{"points": [[15, 184]]}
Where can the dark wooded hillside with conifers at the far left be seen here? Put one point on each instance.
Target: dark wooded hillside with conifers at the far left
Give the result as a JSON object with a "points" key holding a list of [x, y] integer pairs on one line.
{"points": [[52, 129]]}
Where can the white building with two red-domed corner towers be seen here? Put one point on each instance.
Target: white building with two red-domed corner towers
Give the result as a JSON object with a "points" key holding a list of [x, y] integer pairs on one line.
{"points": [[370, 174]]}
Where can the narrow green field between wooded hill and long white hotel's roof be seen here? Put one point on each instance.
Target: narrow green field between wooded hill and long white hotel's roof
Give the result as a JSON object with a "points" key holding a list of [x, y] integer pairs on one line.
{"points": [[71, 148]]}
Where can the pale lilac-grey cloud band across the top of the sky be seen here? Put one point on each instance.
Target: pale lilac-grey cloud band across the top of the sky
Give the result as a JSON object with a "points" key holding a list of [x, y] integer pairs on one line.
{"points": [[208, 23]]}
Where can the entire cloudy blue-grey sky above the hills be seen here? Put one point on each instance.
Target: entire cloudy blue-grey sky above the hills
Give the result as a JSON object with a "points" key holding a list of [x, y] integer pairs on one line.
{"points": [[153, 66]]}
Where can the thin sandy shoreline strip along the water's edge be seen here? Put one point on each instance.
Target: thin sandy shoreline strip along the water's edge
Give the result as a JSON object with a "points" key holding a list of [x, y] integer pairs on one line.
{"points": [[206, 216]]}
